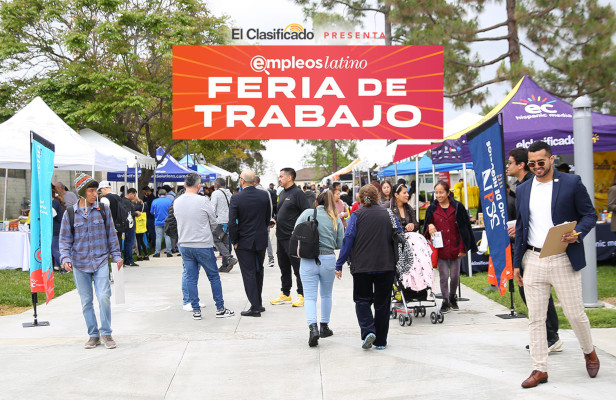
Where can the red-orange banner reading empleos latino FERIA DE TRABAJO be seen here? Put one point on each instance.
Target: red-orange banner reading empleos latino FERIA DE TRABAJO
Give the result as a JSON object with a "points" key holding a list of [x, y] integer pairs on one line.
{"points": [[307, 92]]}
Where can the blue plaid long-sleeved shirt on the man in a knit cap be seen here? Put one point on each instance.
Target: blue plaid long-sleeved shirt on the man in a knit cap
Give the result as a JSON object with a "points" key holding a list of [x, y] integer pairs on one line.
{"points": [[91, 246]]}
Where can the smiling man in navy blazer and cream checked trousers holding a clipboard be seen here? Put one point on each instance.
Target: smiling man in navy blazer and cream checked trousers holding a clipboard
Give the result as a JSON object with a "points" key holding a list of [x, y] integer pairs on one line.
{"points": [[550, 199]]}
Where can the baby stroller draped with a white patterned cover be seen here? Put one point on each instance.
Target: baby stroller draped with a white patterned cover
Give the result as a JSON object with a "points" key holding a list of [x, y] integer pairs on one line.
{"points": [[412, 291]]}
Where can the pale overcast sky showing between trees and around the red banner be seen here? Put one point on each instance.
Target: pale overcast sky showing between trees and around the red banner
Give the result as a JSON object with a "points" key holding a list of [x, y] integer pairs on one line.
{"points": [[270, 14]]}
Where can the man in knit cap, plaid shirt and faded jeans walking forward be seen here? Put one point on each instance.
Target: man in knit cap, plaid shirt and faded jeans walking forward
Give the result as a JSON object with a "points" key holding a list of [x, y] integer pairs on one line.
{"points": [[85, 248]]}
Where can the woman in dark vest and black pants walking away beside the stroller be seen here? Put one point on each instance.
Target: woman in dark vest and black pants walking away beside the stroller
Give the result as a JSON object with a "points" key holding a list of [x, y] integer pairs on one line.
{"points": [[368, 242]]}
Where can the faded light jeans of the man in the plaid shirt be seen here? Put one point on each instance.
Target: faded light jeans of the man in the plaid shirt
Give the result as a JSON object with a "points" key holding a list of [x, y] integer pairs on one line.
{"points": [[83, 281]]}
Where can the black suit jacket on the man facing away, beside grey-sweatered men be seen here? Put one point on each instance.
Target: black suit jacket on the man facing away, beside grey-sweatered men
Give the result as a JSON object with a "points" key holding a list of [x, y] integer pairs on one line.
{"points": [[249, 216]]}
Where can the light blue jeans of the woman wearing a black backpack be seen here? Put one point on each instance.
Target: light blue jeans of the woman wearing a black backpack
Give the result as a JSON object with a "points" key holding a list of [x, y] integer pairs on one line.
{"points": [[313, 274]]}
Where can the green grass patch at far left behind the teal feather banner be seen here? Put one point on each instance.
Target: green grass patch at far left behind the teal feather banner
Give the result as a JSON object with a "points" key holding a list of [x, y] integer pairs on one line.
{"points": [[15, 287]]}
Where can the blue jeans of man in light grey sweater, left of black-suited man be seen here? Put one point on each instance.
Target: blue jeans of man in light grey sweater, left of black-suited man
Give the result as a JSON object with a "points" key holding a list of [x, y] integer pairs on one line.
{"points": [[192, 258]]}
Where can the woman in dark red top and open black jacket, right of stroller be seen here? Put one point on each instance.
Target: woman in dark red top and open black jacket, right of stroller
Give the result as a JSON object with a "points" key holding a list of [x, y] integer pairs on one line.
{"points": [[449, 217]]}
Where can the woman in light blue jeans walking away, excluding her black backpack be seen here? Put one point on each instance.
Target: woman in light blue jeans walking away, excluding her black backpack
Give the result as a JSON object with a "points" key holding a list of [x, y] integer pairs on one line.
{"points": [[313, 275]]}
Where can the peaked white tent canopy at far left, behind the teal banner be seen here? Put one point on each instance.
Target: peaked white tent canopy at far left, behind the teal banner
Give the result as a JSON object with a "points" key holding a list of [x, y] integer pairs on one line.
{"points": [[72, 151]]}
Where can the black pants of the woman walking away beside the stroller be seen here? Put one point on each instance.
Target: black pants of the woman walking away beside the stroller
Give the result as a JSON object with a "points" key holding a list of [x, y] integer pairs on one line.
{"points": [[368, 289]]}
